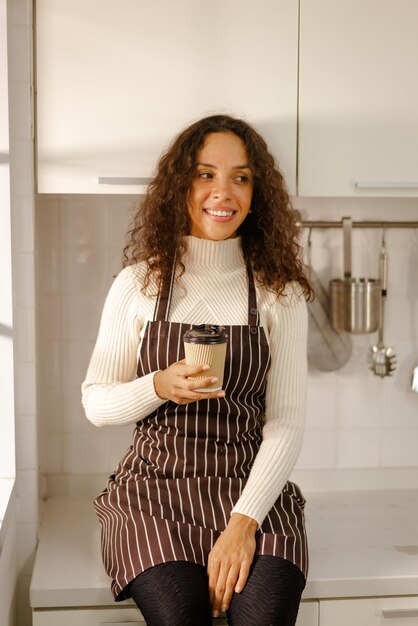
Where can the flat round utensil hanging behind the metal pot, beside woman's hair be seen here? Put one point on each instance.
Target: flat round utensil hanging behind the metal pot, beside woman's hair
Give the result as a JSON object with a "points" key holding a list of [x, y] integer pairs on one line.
{"points": [[328, 349]]}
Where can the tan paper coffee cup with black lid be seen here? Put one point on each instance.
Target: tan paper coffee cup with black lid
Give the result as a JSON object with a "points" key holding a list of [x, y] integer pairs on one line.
{"points": [[206, 345]]}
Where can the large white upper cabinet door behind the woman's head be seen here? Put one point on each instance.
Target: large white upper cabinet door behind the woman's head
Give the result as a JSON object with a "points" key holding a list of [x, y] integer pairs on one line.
{"points": [[116, 80]]}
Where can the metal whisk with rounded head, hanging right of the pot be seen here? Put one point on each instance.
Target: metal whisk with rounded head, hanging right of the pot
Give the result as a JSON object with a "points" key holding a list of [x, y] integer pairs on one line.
{"points": [[382, 359]]}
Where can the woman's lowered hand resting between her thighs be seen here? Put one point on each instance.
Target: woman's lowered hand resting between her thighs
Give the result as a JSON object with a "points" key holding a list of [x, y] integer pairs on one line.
{"points": [[230, 560]]}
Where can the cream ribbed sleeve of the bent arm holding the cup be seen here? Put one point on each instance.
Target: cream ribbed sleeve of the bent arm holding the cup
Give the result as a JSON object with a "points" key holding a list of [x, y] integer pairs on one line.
{"points": [[111, 393]]}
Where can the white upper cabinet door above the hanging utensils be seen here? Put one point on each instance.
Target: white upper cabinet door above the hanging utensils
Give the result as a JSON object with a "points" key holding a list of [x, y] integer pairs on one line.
{"points": [[358, 106]]}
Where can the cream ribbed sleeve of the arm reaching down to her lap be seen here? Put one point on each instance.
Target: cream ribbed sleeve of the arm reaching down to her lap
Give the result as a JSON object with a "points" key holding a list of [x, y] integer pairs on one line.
{"points": [[285, 409]]}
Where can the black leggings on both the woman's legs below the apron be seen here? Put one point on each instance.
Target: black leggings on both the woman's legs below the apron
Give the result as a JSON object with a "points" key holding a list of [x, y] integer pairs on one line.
{"points": [[176, 594]]}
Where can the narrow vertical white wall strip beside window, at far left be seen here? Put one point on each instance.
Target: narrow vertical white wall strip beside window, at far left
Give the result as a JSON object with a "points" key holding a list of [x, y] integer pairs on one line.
{"points": [[23, 532]]}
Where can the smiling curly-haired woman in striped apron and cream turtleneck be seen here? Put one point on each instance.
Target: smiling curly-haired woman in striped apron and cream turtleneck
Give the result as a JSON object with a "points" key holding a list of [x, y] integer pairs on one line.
{"points": [[199, 516]]}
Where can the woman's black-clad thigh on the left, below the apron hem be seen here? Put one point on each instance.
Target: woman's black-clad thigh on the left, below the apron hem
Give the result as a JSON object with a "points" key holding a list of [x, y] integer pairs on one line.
{"points": [[173, 594]]}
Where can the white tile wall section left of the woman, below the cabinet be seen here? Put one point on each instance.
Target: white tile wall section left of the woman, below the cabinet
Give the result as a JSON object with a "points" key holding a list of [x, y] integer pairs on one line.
{"points": [[79, 244]]}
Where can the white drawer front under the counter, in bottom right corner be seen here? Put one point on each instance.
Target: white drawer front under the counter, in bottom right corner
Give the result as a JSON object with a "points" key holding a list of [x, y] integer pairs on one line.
{"points": [[401, 611]]}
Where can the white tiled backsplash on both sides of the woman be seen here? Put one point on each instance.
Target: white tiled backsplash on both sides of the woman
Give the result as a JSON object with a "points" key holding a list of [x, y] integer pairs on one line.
{"points": [[355, 419]]}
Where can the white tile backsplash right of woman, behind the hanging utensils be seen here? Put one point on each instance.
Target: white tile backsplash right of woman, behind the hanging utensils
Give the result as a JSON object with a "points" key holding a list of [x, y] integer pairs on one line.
{"points": [[355, 419]]}
